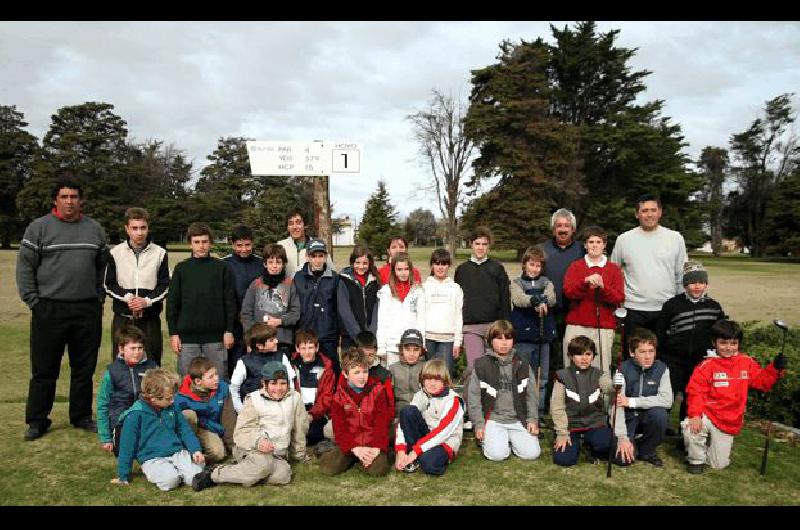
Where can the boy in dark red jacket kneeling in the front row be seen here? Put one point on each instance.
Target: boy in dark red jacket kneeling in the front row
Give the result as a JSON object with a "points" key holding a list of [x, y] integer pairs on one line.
{"points": [[360, 421]]}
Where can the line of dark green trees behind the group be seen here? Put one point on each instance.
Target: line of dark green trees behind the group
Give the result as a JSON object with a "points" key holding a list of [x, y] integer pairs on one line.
{"points": [[546, 126]]}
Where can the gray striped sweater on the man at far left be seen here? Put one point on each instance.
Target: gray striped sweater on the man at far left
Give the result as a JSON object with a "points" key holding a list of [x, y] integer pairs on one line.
{"points": [[62, 260]]}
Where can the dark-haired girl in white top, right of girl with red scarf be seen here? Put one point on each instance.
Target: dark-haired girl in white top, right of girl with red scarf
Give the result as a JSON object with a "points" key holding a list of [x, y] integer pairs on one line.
{"points": [[444, 302]]}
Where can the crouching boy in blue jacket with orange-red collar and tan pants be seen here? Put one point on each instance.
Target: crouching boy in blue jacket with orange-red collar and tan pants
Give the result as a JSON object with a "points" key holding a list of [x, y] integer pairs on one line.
{"points": [[205, 401]]}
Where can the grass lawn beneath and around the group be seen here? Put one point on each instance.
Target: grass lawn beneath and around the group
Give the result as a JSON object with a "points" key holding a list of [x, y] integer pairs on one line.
{"points": [[67, 466]]}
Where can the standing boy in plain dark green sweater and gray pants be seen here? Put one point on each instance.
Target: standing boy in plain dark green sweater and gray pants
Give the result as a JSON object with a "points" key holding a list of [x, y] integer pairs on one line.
{"points": [[201, 305]]}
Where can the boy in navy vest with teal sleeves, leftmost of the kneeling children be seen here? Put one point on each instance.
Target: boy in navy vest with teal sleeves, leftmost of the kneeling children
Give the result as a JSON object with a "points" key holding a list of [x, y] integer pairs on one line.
{"points": [[120, 386]]}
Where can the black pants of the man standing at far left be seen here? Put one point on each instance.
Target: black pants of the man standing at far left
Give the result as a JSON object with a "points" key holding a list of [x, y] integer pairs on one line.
{"points": [[55, 325]]}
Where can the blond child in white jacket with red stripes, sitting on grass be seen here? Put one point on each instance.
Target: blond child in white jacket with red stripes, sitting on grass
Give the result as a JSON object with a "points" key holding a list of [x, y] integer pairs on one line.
{"points": [[431, 427]]}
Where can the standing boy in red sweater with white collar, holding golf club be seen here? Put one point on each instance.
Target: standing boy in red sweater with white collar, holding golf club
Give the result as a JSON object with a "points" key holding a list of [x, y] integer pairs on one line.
{"points": [[591, 284]]}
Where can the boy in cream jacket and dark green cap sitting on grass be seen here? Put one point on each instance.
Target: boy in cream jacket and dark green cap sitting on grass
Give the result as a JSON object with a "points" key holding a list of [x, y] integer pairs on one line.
{"points": [[271, 427]]}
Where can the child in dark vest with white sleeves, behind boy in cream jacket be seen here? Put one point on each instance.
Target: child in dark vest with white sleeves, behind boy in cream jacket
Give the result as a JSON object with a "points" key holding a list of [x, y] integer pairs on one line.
{"points": [[263, 341]]}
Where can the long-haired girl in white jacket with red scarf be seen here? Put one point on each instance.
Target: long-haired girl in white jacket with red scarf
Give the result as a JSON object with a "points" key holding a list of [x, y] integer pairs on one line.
{"points": [[400, 307]]}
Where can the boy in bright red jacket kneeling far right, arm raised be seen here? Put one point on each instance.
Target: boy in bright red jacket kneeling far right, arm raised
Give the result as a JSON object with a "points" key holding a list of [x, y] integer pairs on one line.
{"points": [[717, 395]]}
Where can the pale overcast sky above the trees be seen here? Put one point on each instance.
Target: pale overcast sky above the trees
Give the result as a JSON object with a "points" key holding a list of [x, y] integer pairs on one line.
{"points": [[190, 83]]}
